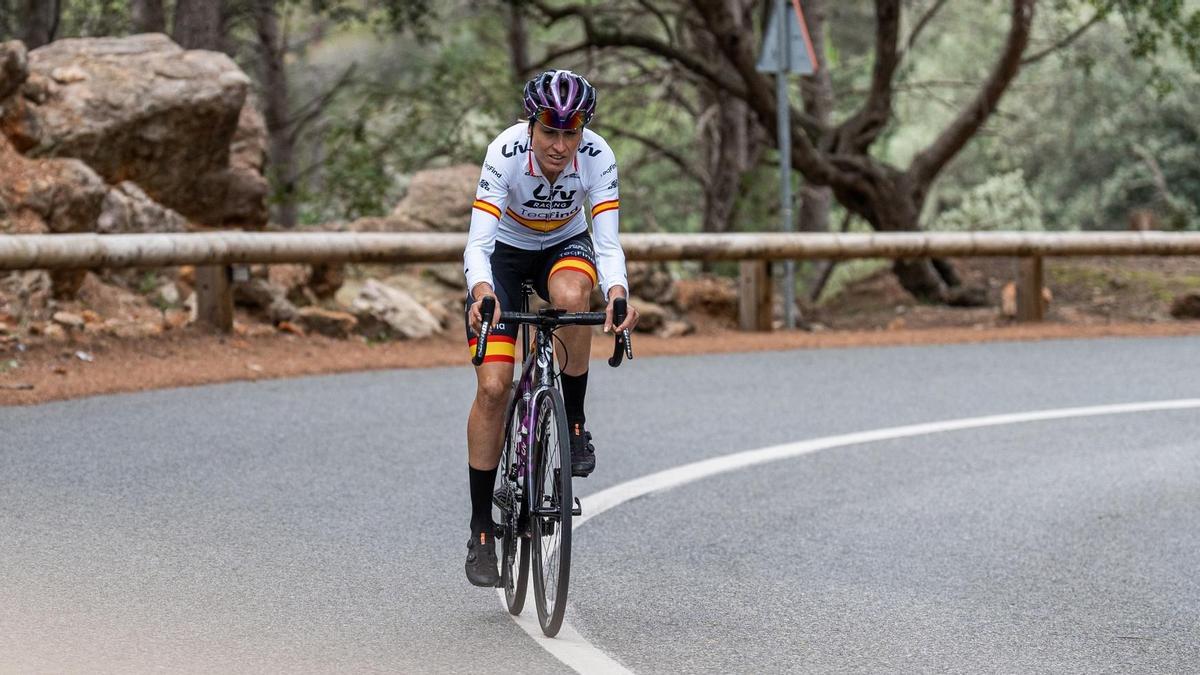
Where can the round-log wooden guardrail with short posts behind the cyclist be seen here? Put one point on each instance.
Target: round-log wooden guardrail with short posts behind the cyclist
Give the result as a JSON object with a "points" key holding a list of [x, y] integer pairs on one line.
{"points": [[214, 253]]}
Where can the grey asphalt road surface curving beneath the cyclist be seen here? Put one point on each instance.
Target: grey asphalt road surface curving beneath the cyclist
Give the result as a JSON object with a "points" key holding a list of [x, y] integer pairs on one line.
{"points": [[321, 524]]}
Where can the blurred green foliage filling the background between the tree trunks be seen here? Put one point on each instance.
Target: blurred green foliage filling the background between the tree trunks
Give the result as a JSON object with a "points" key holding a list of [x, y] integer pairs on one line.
{"points": [[1096, 130]]}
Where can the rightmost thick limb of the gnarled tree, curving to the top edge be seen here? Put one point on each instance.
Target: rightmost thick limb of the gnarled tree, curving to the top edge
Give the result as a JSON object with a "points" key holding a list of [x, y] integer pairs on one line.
{"points": [[927, 165]]}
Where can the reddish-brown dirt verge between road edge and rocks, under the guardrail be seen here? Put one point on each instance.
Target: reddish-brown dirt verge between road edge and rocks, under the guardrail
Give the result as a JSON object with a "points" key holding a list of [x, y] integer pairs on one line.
{"points": [[1093, 298]]}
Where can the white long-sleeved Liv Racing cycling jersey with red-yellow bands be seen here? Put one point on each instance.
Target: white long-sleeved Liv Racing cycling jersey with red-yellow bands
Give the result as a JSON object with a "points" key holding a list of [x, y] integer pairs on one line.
{"points": [[518, 206]]}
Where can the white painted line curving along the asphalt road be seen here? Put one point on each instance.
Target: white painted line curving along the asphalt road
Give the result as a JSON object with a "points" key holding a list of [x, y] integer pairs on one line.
{"points": [[584, 658]]}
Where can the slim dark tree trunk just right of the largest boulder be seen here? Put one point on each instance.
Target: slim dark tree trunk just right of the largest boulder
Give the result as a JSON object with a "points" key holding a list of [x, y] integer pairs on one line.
{"points": [[275, 112]]}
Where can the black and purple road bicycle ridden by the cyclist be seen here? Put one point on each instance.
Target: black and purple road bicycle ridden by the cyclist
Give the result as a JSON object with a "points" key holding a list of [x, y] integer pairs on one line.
{"points": [[535, 495]]}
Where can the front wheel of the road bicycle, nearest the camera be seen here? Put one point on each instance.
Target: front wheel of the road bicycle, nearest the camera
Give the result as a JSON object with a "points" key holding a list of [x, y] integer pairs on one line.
{"points": [[550, 511]]}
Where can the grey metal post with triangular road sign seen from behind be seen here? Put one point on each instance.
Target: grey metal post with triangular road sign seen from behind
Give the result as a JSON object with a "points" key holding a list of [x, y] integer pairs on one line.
{"points": [[787, 50]]}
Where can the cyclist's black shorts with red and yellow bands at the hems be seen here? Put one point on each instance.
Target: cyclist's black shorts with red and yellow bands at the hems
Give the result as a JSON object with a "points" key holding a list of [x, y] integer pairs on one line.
{"points": [[511, 268]]}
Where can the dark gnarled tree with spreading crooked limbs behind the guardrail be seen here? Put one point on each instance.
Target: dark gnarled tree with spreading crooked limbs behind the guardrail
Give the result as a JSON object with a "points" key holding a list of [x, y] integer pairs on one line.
{"points": [[833, 154]]}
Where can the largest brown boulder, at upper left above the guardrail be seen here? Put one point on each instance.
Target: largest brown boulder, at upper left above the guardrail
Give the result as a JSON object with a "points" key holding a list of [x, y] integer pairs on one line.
{"points": [[142, 109]]}
